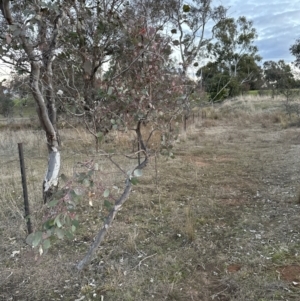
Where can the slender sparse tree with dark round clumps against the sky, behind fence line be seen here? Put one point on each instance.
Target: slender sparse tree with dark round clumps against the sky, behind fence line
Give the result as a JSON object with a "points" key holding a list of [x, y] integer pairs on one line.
{"points": [[191, 34]]}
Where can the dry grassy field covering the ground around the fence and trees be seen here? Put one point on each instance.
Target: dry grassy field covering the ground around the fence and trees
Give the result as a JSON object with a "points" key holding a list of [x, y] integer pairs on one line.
{"points": [[221, 221]]}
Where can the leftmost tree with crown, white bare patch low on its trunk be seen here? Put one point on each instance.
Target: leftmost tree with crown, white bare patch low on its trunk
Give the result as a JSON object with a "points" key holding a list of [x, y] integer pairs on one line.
{"points": [[31, 32]]}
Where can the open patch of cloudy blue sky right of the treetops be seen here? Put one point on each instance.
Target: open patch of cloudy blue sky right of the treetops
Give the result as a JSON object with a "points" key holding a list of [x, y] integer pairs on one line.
{"points": [[277, 23]]}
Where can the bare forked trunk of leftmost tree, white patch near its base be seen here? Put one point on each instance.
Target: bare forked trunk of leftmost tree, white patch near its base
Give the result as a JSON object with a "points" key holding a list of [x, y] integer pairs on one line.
{"points": [[46, 113]]}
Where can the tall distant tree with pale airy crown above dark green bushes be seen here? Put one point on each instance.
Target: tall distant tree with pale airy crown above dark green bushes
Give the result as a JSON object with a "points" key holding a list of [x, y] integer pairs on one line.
{"points": [[234, 58]]}
